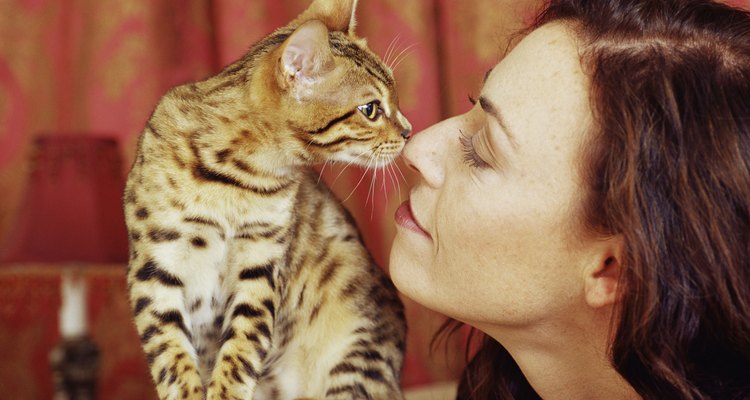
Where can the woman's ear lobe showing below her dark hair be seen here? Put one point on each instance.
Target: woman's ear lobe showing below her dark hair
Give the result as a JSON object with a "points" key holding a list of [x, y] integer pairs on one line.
{"points": [[602, 279]]}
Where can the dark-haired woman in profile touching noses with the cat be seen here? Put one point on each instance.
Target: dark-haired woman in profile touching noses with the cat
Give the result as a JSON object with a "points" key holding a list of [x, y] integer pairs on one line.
{"points": [[591, 214]]}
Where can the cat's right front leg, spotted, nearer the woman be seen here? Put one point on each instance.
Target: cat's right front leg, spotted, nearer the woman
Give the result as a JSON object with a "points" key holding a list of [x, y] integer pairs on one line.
{"points": [[246, 336]]}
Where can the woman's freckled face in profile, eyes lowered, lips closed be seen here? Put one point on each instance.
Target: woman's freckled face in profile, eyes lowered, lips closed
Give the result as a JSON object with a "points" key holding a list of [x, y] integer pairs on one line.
{"points": [[489, 235]]}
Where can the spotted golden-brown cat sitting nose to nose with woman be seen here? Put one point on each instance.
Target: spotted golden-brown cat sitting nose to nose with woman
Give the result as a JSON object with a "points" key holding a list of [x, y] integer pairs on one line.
{"points": [[247, 278]]}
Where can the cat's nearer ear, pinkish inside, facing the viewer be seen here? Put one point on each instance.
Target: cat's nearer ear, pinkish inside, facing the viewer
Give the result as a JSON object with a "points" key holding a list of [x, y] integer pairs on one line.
{"points": [[306, 56]]}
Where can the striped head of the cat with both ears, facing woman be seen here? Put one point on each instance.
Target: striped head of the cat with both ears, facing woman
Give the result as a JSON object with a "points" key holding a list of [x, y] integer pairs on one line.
{"points": [[337, 97]]}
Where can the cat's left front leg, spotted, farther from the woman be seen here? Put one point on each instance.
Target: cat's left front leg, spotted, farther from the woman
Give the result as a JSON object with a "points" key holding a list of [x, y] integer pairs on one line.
{"points": [[160, 318]]}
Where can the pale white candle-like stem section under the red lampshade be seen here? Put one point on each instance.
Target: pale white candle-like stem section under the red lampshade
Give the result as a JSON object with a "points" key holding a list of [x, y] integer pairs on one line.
{"points": [[73, 309]]}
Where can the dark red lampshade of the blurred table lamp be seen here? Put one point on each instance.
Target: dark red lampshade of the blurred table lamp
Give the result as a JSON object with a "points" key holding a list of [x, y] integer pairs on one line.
{"points": [[71, 210]]}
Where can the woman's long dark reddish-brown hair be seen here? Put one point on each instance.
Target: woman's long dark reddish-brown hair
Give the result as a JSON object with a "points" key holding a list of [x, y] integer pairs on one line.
{"points": [[667, 165]]}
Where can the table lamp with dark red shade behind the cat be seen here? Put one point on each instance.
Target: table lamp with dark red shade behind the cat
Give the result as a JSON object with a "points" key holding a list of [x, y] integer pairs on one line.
{"points": [[71, 215]]}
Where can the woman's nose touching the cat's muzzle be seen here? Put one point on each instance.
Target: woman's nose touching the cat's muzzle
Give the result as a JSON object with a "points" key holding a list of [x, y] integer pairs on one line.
{"points": [[424, 152]]}
